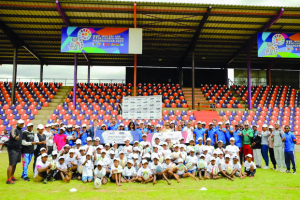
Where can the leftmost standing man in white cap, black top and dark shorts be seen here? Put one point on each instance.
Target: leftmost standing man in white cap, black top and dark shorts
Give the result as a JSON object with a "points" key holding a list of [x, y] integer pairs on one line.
{"points": [[14, 151]]}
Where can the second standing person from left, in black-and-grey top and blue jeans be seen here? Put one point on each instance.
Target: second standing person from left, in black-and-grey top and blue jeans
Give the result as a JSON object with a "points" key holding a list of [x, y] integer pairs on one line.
{"points": [[27, 149]]}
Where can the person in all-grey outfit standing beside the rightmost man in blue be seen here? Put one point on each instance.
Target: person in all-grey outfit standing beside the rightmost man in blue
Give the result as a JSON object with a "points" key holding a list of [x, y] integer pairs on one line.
{"points": [[278, 147]]}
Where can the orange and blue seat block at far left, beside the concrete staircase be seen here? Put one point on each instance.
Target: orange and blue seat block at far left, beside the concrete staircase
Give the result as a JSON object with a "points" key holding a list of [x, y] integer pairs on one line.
{"points": [[30, 98]]}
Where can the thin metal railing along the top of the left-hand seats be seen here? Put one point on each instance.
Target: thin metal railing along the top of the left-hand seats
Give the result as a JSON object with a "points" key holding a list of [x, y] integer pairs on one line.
{"points": [[66, 82]]}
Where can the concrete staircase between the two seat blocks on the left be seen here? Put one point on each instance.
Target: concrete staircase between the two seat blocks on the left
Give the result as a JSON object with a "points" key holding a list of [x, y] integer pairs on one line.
{"points": [[44, 114]]}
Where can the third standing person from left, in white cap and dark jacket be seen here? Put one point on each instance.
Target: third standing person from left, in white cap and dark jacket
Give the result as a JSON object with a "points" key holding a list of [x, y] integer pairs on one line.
{"points": [[40, 140]]}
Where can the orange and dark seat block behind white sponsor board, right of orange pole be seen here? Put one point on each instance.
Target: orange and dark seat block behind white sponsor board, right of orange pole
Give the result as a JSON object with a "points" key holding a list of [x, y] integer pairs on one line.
{"points": [[172, 93]]}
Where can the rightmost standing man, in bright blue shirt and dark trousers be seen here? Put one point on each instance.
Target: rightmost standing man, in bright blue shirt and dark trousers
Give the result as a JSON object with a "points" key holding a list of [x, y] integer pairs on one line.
{"points": [[289, 140]]}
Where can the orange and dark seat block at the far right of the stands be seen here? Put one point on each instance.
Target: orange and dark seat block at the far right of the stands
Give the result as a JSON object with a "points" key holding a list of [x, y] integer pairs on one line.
{"points": [[270, 96]]}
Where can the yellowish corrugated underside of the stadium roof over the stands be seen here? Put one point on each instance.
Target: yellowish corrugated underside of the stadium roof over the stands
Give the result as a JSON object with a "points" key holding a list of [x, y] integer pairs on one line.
{"points": [[168, 30]]}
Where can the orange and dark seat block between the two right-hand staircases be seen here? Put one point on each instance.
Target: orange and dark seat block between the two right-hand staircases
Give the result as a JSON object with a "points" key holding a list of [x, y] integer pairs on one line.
{"points": [[221, 95]]}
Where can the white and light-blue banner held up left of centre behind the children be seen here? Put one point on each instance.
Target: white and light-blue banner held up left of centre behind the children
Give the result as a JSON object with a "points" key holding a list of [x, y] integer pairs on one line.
{"points": [[117, 136]]}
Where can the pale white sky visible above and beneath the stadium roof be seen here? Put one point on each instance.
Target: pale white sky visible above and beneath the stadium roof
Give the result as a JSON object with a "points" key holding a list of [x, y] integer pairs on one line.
{"points": [[61, 73]]}
